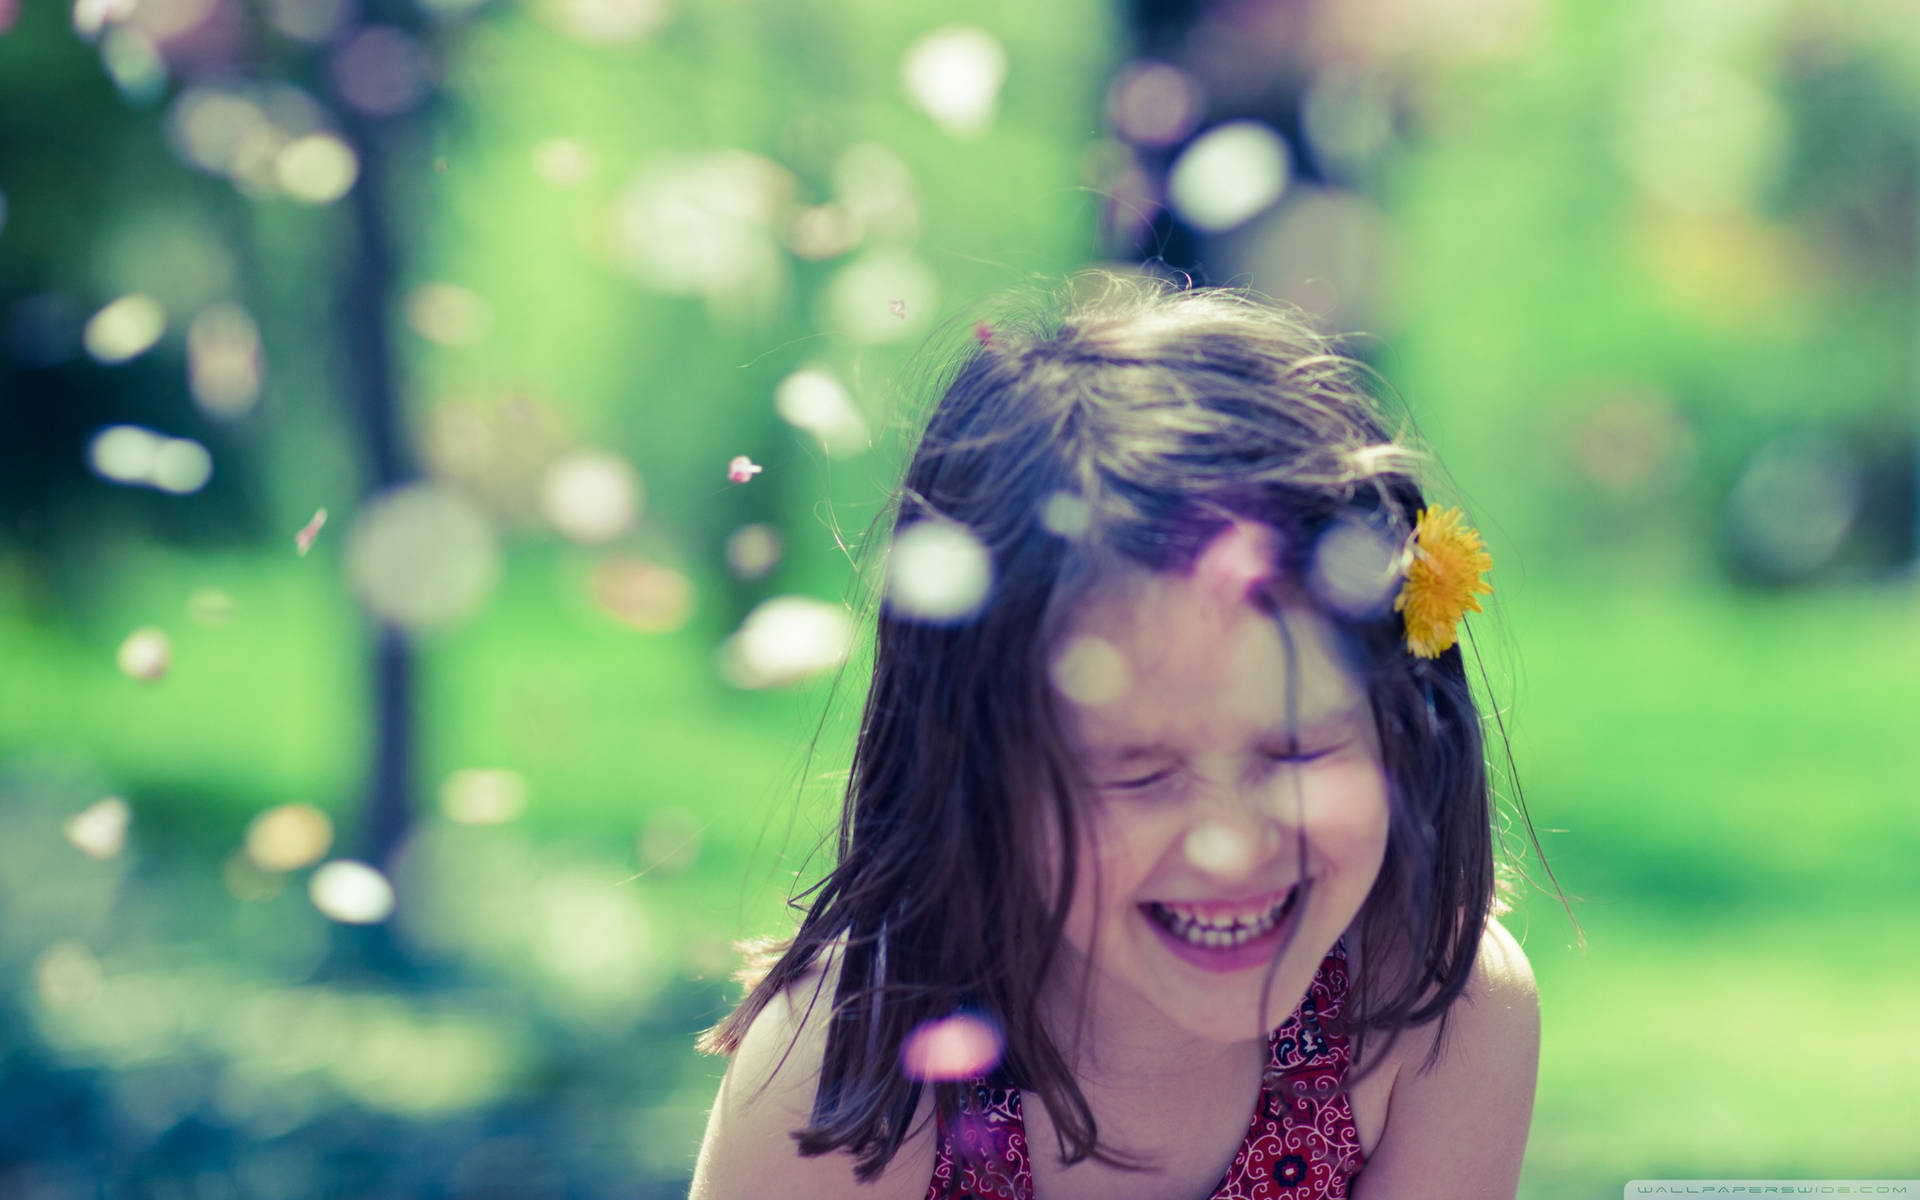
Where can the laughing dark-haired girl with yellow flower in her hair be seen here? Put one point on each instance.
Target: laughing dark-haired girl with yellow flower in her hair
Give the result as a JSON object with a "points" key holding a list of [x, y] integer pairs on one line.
{"points": [[1166, 871]]}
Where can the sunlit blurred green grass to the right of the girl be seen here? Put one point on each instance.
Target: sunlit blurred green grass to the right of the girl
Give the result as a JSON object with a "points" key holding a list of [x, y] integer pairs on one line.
{"points": [[1731, 792]]}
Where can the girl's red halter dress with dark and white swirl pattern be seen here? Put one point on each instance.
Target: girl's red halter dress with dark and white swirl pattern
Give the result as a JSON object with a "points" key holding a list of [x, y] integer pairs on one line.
{"points": [[1303, 1143]]}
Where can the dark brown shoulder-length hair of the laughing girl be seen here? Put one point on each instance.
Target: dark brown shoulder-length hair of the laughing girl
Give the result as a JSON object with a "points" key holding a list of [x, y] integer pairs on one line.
{"points": [[1128, 429]]}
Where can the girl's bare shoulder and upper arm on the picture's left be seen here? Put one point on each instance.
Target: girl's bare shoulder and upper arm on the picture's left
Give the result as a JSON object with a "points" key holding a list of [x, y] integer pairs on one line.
{"points": [[769, 1093]]}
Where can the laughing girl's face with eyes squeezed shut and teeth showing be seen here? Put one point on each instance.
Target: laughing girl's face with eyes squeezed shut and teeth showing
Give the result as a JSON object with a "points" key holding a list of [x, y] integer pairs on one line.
{"points": [[1216, 798]]}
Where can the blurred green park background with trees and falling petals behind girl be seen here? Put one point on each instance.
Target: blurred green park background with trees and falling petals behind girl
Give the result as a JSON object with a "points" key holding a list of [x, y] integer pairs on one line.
{"points": [[406, 863]]}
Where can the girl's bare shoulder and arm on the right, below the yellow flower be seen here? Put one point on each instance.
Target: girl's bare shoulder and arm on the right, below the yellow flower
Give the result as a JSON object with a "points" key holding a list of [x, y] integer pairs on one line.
{"points": [[1460, 1126]]}
